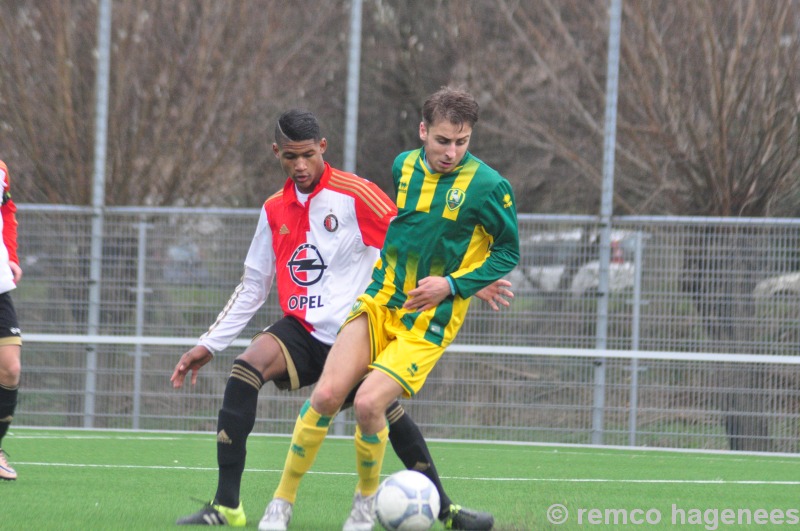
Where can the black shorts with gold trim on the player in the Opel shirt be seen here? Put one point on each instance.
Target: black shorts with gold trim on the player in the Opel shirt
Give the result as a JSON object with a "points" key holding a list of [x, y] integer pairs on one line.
{"points": [[305, 355]]}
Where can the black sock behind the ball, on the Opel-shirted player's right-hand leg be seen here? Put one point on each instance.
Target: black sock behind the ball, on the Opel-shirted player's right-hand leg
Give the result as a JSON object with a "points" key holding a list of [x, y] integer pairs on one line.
{"points": [[411, 448]]}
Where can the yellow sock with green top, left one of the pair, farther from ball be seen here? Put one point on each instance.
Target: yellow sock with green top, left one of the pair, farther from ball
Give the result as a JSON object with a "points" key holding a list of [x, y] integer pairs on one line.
{"points": [[309, 432]]}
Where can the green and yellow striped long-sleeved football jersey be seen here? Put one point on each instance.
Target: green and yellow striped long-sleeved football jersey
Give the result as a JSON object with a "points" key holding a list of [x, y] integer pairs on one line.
{"points": [[462, 224]]}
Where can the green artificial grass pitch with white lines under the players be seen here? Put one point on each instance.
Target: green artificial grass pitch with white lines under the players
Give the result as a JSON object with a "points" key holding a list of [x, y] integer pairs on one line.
{"points": [[144, 480]]}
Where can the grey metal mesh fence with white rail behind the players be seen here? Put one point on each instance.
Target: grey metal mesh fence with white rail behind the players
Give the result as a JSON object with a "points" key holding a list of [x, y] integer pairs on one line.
{"points": [[698, 331]]}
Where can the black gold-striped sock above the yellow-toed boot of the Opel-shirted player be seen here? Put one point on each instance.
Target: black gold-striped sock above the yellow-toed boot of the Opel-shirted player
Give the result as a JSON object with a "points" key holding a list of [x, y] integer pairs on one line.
{"points": [[235, 422]]}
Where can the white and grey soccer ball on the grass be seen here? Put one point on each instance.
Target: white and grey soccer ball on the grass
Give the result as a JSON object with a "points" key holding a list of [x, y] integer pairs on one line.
{"points": [[407, 501]]}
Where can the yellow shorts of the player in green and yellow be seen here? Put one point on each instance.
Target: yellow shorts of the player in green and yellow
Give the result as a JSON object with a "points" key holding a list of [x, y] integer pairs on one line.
{"points": [[396, 351]]}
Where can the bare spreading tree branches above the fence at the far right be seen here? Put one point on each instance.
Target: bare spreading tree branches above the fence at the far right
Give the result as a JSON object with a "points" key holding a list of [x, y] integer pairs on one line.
{"points": [[708, 107]]}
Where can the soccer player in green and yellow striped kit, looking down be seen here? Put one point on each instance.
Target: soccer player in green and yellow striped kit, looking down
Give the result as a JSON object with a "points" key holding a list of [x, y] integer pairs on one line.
{"points": [[455, 233]]}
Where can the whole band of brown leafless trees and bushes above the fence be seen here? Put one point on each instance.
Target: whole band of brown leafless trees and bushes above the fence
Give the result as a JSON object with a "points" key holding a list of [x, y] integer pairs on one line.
{"points": [[707, 116]]}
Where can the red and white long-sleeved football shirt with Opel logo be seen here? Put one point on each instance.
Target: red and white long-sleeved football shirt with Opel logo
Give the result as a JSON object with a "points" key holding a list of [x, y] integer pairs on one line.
{"points": [[321, 252]]}
